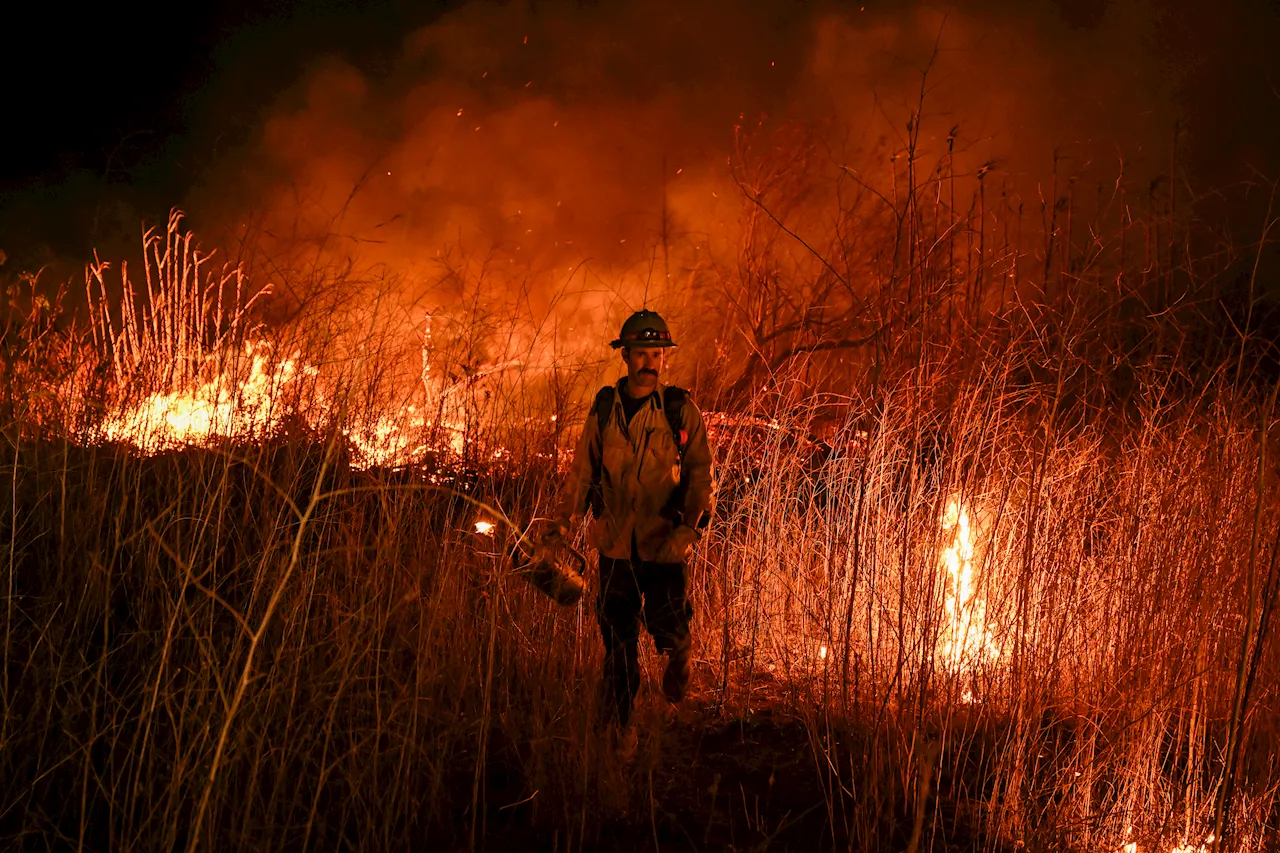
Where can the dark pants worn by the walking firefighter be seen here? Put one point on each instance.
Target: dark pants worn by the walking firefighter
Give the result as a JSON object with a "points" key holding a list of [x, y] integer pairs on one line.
{"points": [[632, 590]]}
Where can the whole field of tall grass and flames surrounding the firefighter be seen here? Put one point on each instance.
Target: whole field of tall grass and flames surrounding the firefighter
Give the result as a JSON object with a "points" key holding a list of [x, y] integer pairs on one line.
{"points": [[252, 603]]}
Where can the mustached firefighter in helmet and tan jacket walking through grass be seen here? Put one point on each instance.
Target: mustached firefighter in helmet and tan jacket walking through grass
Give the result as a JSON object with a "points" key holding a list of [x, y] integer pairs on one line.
{"points": [[644, 468]]}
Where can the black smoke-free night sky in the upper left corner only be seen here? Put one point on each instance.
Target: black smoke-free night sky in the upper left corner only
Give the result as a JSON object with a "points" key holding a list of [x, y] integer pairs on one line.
{"points": [[116, 110]]}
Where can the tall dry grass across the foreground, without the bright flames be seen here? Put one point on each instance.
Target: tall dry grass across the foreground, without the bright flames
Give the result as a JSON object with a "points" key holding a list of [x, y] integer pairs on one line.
{"points": [[255, 646]]}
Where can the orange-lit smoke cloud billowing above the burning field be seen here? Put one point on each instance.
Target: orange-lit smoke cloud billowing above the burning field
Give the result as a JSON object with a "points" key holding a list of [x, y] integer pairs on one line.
{"points": [[595, 149]]}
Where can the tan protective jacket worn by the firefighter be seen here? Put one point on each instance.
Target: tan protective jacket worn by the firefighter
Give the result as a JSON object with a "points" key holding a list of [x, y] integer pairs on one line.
{"points": [[641, 468]]}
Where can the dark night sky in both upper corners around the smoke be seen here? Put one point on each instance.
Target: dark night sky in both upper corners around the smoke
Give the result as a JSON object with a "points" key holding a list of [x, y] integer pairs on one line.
{"points": [[113, 113]]}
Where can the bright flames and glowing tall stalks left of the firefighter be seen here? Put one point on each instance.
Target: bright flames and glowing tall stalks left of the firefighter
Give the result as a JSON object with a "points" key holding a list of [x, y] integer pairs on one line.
{"points": [[190, 368]]}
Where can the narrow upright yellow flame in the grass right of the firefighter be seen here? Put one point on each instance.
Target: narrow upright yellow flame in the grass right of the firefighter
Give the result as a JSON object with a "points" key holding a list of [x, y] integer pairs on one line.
{"points": [[967, 638]]}
